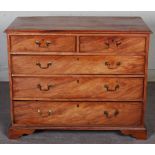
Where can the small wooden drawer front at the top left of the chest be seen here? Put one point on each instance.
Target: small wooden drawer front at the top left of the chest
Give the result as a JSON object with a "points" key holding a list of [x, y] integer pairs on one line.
{"points": [[42, 43]]}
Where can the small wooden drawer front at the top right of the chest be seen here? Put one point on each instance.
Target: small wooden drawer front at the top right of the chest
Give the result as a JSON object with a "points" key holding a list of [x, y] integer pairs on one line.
{"points": [[112, 44]]}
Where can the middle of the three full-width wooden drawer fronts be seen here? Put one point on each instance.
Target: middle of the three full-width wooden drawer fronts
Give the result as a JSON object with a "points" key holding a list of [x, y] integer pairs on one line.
{"points": [[78, 88]]}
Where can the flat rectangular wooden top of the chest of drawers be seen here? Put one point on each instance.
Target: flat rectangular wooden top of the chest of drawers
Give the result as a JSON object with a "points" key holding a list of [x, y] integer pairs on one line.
{"points": [[79, 24]]}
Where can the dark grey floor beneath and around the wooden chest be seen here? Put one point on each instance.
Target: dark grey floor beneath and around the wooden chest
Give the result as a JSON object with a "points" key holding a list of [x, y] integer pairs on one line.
{"points": [[75, 137]]}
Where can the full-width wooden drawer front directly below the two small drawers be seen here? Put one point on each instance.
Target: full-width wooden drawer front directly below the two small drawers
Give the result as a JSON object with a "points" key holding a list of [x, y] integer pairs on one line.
{"points": [[41, 65]]}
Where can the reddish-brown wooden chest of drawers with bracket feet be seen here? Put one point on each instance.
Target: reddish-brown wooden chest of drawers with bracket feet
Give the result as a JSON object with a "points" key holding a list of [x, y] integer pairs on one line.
{"points": [[78, 73]]}
